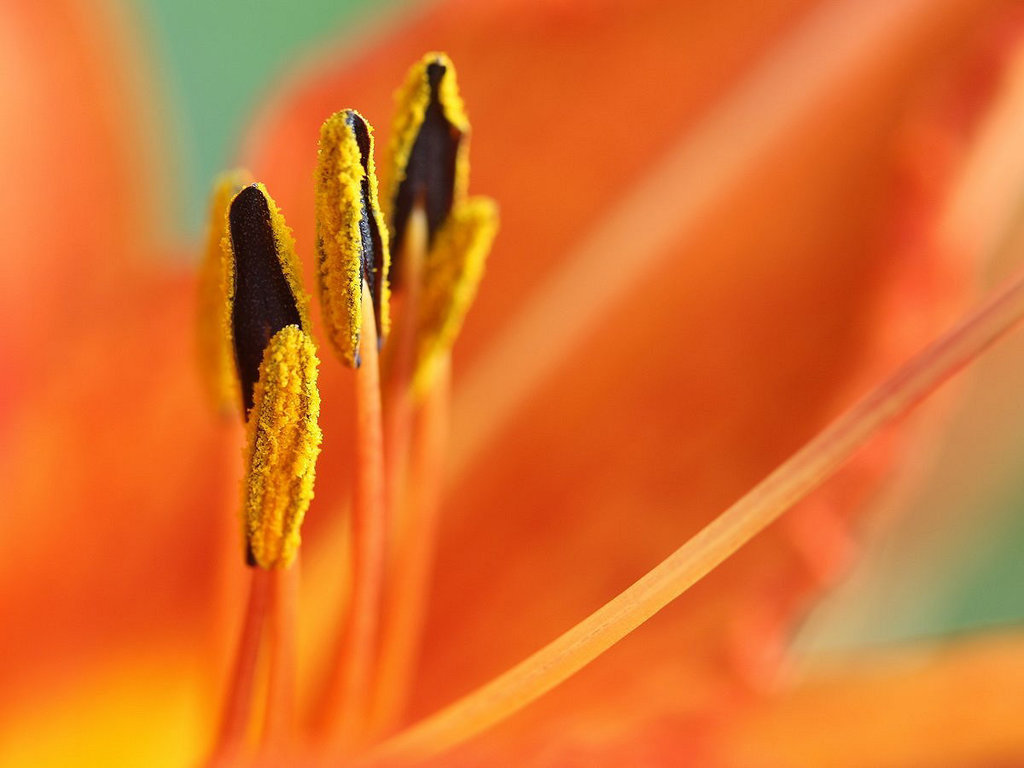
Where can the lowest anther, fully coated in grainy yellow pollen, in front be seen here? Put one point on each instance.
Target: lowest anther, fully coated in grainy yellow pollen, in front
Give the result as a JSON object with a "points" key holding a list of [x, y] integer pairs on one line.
{"points": [[283, 445]]}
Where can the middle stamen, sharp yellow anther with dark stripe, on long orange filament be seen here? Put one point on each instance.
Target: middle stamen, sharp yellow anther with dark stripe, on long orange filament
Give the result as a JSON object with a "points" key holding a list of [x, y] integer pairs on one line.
{"points": [[353, 247]]}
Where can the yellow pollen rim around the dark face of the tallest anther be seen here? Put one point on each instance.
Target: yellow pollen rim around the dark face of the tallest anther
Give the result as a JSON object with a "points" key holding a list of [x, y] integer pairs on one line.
{"points": [[412, 101]]}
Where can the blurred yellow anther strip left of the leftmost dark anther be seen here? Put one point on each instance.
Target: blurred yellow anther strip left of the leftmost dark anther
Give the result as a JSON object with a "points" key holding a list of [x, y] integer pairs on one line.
{"points": [[217, 356]]}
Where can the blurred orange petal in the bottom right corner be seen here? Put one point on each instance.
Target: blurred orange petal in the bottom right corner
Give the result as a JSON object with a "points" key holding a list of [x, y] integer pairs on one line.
{"points": [[953, 705]]}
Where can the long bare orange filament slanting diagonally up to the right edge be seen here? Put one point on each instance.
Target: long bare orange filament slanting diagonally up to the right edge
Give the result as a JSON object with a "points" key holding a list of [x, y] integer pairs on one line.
{"points": [[804, 472]]}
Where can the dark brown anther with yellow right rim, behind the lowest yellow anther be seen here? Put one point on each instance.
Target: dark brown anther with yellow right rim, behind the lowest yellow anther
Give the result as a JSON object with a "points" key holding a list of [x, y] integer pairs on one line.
{"points": [[262, 272]]}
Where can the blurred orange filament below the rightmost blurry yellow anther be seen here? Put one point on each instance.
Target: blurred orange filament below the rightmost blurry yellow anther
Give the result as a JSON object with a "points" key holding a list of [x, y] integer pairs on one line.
{"points": [[414, 548]]}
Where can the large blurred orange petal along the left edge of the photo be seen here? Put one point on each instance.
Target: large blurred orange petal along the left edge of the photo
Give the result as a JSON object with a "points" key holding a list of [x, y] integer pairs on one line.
{"points": [[112, 472]]}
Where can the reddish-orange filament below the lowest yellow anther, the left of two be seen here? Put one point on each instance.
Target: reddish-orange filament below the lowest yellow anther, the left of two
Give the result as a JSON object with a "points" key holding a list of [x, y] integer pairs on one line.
{"points": [[238, 705]]}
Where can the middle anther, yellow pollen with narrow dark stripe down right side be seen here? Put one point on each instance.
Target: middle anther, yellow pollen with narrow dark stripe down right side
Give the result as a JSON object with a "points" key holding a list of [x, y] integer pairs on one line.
{"points": [[352, 240]]}
